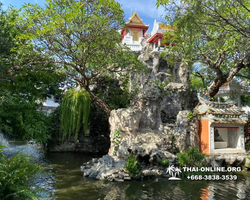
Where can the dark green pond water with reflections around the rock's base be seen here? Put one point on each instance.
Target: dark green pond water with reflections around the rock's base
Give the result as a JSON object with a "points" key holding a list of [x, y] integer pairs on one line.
{"points": [[65, 182]]}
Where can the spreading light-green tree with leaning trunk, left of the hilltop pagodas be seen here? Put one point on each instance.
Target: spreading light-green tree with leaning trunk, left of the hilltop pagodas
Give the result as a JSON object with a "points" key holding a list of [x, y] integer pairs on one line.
{"points": [[81, 37]]}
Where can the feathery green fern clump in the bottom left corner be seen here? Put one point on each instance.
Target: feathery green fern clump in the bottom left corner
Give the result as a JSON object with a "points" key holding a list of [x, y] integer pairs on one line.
{"points": [[16, 175]]}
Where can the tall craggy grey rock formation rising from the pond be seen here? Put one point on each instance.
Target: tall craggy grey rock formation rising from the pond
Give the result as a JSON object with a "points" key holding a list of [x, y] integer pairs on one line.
{"points": [[156, 125]]}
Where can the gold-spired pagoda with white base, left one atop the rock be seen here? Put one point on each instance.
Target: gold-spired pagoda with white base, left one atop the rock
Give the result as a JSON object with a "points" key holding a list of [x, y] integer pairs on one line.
{"points": [[134, 32]]}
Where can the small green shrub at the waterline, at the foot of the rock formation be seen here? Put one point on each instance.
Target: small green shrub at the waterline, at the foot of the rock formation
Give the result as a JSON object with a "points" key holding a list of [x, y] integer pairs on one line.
{"points": [[132, 166]]}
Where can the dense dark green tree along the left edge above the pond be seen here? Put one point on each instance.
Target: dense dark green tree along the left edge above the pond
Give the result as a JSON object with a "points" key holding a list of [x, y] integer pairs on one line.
{"points": [[21, 86]]}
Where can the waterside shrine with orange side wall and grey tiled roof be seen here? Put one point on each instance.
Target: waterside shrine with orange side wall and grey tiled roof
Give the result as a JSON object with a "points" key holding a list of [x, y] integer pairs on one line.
{"points": [[221, 126]]}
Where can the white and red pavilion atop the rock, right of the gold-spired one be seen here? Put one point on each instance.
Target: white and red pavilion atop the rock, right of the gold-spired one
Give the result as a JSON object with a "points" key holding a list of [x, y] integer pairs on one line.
{"points": [[156, 37]]}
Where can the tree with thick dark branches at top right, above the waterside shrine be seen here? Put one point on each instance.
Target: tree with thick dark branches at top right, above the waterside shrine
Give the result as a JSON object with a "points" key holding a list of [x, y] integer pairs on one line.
{"points": [[212, 32]]}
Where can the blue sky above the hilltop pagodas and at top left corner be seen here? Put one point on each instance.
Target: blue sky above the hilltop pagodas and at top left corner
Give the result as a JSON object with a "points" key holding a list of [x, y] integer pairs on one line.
{"points": [[146, 9]]}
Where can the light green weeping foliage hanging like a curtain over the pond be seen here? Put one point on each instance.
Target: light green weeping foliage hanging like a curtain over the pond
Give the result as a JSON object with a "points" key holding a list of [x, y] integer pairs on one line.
{"points": [[75, 110]]}
